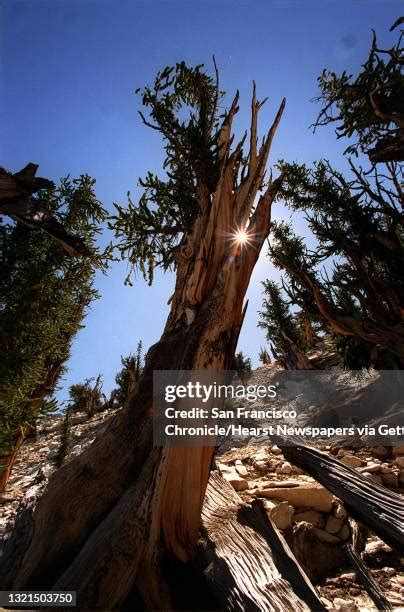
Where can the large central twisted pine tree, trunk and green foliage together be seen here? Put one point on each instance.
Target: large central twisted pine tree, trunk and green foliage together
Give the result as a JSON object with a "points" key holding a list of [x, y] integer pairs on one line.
{"points": [[108, 518]]}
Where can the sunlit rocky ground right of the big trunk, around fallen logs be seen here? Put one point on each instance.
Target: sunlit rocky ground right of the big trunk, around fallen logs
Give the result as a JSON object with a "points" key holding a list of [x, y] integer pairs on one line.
{"points": [[315, 523]]}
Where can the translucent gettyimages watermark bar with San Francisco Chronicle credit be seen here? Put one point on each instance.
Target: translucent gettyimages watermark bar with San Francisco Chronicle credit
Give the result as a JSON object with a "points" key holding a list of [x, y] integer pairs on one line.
{"points": [[207, 407]]}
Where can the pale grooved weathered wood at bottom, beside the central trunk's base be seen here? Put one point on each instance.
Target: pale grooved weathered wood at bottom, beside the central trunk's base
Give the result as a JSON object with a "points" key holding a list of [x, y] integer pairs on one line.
{"points": [[249, 564]]}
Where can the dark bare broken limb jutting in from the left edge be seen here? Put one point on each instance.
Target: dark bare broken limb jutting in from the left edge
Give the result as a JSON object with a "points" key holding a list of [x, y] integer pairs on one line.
{"points": [[16, 202]]}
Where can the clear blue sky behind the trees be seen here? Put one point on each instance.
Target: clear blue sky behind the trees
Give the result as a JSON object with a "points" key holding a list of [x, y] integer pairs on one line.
{"points": [[69, 71]]}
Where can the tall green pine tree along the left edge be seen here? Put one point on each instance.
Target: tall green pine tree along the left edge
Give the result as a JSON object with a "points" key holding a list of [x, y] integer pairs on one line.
{"points": [[44, 294]]}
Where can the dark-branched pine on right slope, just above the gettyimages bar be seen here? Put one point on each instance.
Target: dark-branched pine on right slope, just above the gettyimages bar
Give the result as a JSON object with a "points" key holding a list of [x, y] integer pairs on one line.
{"points": [[359, 295]]}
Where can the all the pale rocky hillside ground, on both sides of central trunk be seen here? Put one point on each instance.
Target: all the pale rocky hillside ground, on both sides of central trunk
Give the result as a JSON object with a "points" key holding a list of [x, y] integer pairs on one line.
{"points": [[313, 521]]}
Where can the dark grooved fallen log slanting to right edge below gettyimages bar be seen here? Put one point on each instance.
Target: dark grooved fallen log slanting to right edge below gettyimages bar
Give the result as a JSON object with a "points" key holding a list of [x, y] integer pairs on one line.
{"points": [[367, 501]]}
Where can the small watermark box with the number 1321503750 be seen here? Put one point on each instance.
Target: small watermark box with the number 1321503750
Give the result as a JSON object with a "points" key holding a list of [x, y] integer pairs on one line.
{"points": [[38, 599]]}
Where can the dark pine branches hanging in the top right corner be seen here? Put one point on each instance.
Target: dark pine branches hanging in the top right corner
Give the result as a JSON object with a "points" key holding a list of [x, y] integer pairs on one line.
{"points": [[370, 106]]}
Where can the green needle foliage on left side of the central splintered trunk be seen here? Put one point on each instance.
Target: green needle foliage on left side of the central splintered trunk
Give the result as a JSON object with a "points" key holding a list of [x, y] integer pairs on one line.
{"points": [[182, 106]]}
